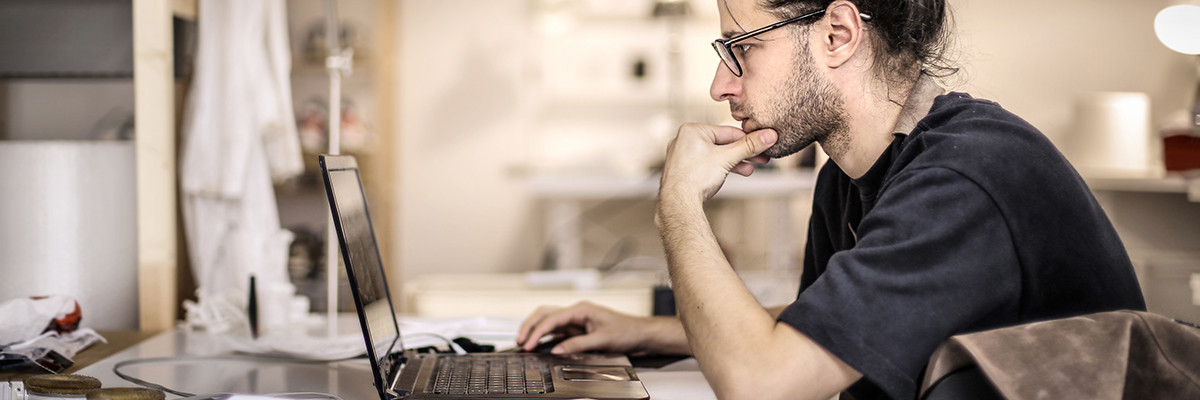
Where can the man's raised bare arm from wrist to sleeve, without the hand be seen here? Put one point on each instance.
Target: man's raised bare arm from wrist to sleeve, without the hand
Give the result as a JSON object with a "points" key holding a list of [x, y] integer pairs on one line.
{"points": [[735, 339]]}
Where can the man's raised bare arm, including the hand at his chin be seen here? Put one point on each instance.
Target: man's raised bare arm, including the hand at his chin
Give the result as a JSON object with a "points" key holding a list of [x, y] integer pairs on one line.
{"points": [[743, 353]]}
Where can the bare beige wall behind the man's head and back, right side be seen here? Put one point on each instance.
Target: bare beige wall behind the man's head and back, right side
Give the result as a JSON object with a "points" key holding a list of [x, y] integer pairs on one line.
{"points": [[1037, 57]]}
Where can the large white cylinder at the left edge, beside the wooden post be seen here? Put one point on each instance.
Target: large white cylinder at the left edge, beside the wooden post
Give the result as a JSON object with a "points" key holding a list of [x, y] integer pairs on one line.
{"points": [[70, 226]]}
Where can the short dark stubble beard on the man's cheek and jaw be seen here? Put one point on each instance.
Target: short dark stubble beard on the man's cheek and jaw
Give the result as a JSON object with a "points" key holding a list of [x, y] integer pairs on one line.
{"points": [[809, 110]]}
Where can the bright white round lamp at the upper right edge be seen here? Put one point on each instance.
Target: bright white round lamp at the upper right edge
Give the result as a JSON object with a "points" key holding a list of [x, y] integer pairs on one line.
{"points": [[1179, 28]]}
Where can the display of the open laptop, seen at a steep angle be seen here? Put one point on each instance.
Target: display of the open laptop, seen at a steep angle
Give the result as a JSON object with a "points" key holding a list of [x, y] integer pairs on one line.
{"points": [[362, 254]]}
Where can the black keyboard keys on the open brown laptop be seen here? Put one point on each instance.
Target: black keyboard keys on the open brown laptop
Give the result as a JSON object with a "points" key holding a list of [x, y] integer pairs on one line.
{"points": [[491, 375]]}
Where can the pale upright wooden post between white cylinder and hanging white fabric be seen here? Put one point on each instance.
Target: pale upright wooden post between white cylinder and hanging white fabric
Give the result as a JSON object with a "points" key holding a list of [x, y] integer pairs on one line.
{"points": [[155, 120]]}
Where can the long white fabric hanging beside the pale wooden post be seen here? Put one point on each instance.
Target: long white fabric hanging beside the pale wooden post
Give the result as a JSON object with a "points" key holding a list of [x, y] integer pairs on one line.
{"points": [[239, 135]]}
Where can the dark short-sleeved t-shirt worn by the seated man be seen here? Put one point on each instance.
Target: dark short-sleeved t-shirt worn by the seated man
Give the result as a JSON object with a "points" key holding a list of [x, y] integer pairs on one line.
{"points": [[971, 222]]}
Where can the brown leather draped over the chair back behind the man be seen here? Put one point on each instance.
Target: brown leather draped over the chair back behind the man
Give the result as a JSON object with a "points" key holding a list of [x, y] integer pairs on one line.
{"points": [[1118, 355]]}
